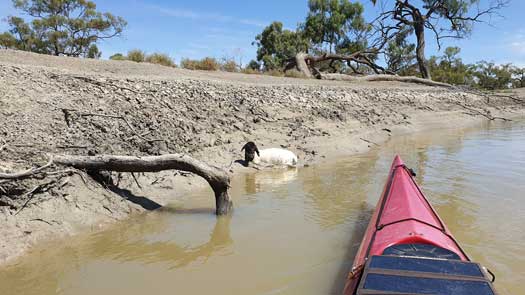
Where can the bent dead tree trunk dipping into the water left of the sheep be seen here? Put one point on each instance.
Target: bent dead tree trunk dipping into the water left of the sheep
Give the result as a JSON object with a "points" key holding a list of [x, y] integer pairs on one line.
{"points": [[218, 179]]}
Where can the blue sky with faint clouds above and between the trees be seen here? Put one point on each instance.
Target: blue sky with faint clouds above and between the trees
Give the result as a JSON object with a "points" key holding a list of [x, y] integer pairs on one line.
{"points": [[201, 28]]}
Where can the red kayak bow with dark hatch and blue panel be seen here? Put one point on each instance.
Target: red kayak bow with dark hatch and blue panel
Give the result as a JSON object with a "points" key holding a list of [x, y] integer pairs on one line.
{"points": [[407, 249]]}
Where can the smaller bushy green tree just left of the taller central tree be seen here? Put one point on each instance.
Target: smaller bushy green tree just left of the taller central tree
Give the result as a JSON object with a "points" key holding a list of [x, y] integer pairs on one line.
{"points": [[276, 46]]}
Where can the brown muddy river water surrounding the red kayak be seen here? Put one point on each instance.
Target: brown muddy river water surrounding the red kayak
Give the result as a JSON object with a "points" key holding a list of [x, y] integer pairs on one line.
{"points": [[296, 231]]}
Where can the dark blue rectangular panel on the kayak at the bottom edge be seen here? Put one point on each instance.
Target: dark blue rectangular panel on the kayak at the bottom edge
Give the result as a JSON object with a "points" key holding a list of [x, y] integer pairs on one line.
{"points": [[422, 276]]}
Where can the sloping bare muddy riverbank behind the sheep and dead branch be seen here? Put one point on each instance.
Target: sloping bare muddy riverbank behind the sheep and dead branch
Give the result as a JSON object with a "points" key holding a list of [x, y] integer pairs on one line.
{"points": [[58, 105]]}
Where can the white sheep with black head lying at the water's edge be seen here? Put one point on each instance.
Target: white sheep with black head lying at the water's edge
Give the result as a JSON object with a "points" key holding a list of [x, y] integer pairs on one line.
{"points": [[272, 156]]}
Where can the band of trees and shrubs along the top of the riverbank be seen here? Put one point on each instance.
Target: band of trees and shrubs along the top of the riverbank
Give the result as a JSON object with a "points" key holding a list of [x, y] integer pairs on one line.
{"points": [[334, 38]]}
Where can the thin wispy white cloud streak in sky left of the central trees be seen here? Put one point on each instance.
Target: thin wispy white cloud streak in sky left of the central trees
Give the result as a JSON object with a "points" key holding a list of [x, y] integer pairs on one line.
{"points": [[217, 17]]}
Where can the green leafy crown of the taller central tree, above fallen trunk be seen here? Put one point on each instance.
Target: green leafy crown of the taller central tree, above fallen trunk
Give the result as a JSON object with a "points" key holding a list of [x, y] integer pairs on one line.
{"points": [[329, 22]]}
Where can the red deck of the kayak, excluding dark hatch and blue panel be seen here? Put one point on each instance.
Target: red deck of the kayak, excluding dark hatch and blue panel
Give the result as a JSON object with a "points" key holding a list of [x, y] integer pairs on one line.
{"points": [[403, 216]]}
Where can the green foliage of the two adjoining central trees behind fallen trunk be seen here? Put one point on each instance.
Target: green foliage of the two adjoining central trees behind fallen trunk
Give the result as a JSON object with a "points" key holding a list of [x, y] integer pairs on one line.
{"points": [[331, 26]]}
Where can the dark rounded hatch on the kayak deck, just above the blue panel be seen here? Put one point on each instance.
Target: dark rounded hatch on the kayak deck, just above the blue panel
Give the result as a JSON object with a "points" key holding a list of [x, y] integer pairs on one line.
{"points": [[420, 250]]}
